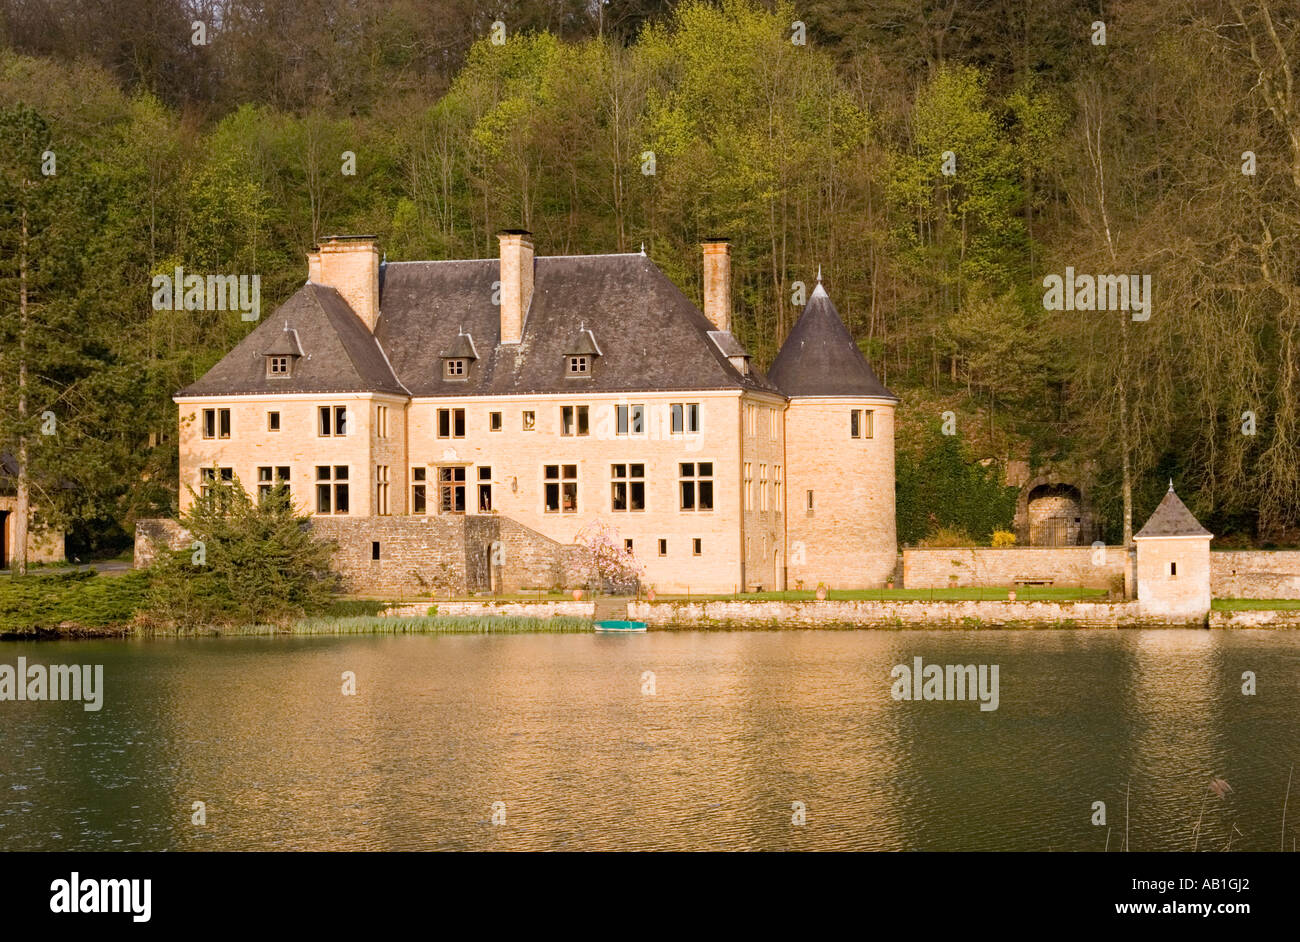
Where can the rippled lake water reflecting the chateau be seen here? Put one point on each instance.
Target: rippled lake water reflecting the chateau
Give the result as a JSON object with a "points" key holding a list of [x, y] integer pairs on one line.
{"points": [[565, 732]]}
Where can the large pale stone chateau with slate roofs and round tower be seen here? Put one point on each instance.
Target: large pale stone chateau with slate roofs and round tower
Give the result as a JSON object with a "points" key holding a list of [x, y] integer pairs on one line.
{"points": [[461, 423]]}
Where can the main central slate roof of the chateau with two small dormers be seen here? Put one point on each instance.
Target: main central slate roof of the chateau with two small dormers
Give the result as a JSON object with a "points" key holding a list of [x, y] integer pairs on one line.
{"points": [[653, 338]]}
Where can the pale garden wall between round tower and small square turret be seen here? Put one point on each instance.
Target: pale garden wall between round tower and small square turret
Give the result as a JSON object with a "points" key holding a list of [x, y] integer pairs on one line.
{"points": [[1006, 567]]}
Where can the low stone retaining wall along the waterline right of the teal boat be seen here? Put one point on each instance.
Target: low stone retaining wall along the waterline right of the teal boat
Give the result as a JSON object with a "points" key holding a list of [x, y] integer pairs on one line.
{"points": [[900, 615]]}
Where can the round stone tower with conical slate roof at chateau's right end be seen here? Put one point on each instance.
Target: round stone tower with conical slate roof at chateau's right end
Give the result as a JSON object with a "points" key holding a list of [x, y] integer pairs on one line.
{"points": [[839, 455]]}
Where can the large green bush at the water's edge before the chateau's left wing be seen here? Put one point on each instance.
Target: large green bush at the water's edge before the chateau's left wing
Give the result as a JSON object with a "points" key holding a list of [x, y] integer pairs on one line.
{"points": [[255, 562]]}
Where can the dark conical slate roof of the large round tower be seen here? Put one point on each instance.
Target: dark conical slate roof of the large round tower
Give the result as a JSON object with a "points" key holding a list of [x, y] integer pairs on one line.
{"points": [[821, 359]]}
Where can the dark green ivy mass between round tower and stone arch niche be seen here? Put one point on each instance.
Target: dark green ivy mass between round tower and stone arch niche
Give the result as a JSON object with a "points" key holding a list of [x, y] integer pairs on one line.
{"points": [[944, 488]]}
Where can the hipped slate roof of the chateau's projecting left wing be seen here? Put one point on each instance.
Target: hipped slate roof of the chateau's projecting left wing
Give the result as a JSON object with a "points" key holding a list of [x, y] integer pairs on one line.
{"points": [[340, 353]]}
